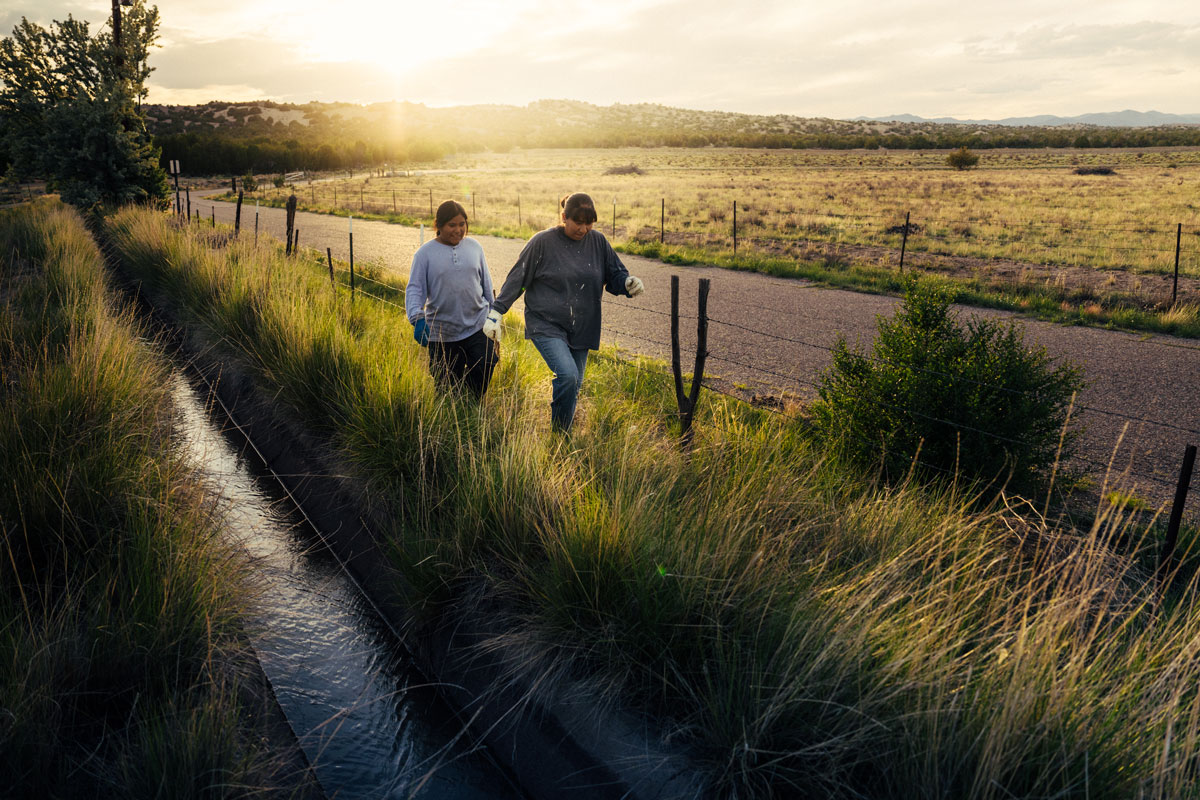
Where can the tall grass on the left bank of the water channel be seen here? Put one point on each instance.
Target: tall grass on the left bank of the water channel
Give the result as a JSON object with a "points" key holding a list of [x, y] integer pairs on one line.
{"points": [[122, 651]]}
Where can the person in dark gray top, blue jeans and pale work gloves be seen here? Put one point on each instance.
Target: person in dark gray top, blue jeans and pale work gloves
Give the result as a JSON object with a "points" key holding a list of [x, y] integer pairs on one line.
{"points": [[563, 273]]}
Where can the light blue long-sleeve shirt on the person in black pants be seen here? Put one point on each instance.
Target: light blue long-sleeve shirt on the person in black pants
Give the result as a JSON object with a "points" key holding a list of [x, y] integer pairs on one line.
{"points": [[452, 287]]}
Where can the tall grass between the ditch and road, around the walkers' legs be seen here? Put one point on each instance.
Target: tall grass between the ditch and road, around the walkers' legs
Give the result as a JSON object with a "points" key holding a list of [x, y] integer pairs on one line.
{"points": [[801, 629]]}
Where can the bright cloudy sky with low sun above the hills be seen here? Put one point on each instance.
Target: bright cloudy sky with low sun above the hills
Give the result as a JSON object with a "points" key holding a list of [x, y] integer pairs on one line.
{"points": [[967, 59]]}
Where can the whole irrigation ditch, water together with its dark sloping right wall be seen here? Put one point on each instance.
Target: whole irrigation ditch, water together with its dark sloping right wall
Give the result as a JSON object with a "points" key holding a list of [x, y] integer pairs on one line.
{"points": [[379, 711]]}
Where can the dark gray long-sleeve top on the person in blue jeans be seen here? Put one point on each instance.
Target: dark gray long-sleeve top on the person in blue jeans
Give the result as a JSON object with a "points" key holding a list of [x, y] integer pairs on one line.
{"points": [[562, 281]]}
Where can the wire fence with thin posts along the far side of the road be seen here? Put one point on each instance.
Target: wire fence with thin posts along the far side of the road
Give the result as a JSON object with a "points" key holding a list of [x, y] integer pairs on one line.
{"points": [[836, 237]]}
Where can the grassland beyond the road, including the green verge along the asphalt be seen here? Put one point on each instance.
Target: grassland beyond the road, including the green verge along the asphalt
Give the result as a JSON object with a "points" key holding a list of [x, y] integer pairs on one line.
{"points": [[1022, 231]]}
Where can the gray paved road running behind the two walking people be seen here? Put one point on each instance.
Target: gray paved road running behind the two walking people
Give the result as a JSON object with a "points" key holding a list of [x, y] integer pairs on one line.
{"points": [[1132, 377]]}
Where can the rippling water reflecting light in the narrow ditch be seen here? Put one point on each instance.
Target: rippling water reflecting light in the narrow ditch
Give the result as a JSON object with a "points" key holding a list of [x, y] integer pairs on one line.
{"points": [[369, 723]]}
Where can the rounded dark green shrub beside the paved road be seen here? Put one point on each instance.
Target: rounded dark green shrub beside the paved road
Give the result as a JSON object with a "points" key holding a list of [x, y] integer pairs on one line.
{"points": [[974, 401]]}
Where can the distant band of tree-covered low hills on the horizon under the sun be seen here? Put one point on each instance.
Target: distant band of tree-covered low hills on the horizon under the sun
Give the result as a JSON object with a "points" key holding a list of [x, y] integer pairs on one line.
{"points": [[289, 148]]}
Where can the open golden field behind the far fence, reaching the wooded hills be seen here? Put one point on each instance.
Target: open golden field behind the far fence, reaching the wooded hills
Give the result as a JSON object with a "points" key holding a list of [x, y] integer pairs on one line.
{"points": [[1017, 206]]}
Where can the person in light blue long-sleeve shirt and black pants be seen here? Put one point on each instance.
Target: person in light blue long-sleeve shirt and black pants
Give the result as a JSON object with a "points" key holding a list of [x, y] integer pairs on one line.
{"points": [[448, 299]]}
